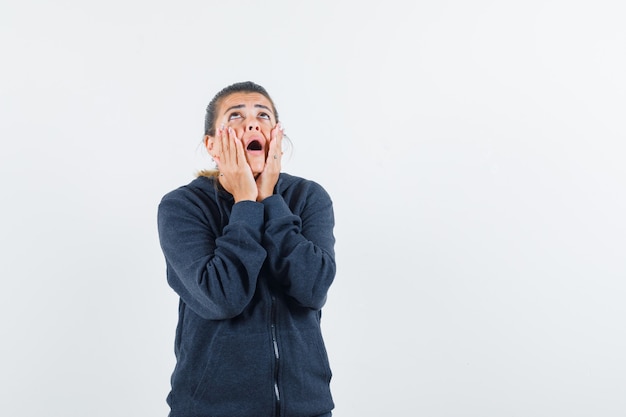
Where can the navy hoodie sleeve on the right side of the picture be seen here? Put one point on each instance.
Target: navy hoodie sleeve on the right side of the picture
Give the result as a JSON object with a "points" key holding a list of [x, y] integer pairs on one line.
{"points": [[300, 247]]}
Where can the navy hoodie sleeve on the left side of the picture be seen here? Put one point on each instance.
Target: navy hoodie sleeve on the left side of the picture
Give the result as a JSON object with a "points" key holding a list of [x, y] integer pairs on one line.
{"points": [[214, 273]]}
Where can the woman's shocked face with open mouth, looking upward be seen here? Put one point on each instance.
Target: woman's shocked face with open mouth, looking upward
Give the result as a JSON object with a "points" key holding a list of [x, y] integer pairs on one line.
{"points": [[250, 115]]}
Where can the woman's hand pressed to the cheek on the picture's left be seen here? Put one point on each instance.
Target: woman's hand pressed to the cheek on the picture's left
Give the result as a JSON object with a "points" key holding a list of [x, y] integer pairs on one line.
{"points": [[235, 174]]}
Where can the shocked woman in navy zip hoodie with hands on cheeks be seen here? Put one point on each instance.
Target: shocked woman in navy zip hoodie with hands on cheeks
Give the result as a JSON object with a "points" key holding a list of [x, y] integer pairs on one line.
{"points": [[250, 252]]}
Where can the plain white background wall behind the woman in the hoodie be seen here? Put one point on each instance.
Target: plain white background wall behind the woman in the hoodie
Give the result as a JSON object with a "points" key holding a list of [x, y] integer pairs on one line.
{"points": [[474, 151]]}
